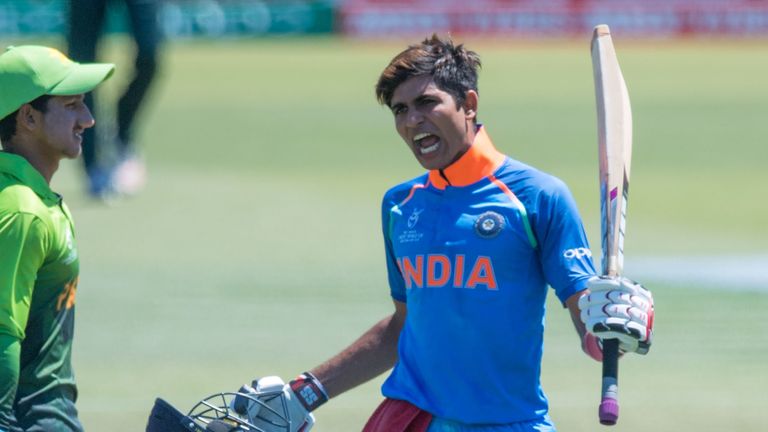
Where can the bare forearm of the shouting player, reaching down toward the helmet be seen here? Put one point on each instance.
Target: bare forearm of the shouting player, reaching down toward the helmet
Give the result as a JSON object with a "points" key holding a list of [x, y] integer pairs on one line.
{"points": [[372, 354]]}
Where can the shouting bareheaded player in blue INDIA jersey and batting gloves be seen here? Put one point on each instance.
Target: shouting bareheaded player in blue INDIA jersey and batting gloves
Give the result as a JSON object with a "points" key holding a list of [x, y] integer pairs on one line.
{"points": [[471, 248]]}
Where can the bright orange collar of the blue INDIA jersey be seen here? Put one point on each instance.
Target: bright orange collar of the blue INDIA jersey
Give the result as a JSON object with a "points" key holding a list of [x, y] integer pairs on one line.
{"points": [[481, 160]]}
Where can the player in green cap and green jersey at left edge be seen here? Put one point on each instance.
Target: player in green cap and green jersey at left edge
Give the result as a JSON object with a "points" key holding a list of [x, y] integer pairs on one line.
{"points": [[42, 118]]}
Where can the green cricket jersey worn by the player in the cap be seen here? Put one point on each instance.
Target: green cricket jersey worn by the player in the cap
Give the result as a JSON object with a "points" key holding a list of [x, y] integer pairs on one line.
{"points": [[38, 279]]}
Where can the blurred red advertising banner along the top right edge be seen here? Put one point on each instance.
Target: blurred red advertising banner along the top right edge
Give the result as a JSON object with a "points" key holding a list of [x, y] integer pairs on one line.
{"points": [[382, 18]]}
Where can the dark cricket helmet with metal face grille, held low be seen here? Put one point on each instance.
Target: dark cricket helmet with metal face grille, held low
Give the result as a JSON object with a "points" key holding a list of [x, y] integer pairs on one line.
{"points": [[246, 410]]}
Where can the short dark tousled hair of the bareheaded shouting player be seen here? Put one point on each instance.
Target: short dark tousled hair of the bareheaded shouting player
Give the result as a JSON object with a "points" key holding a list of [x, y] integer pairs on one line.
{"points": [[453, 68]]}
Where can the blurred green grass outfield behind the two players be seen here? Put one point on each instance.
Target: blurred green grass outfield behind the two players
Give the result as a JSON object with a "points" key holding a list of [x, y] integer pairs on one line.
{"points": [[257, 249]]}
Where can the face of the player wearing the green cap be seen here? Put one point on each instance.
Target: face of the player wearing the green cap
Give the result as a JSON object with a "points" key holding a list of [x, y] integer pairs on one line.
{"points": [[62, 125]]}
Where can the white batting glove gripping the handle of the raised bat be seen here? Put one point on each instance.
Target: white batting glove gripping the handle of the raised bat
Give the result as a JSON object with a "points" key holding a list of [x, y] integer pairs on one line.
{"points": [[619, 308]]}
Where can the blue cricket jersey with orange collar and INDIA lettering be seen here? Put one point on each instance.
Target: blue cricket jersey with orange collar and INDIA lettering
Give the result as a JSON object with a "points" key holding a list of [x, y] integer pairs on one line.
{"points": [[471, 251]]}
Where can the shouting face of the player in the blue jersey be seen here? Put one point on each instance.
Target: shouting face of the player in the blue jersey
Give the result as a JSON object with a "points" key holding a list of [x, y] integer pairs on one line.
{"points": [[428, 120]]}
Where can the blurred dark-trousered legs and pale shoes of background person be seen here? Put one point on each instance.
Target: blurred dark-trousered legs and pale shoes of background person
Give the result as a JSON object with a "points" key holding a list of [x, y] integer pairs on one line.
{"points": [[127, 173]]}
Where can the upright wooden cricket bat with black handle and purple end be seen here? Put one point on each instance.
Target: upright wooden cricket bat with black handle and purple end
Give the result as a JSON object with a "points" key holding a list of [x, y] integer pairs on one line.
{"points": [[614, 132]]}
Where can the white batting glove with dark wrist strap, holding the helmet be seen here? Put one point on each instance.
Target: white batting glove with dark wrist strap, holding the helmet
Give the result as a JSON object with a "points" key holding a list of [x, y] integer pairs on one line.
{"points": [[283, 407]]}
